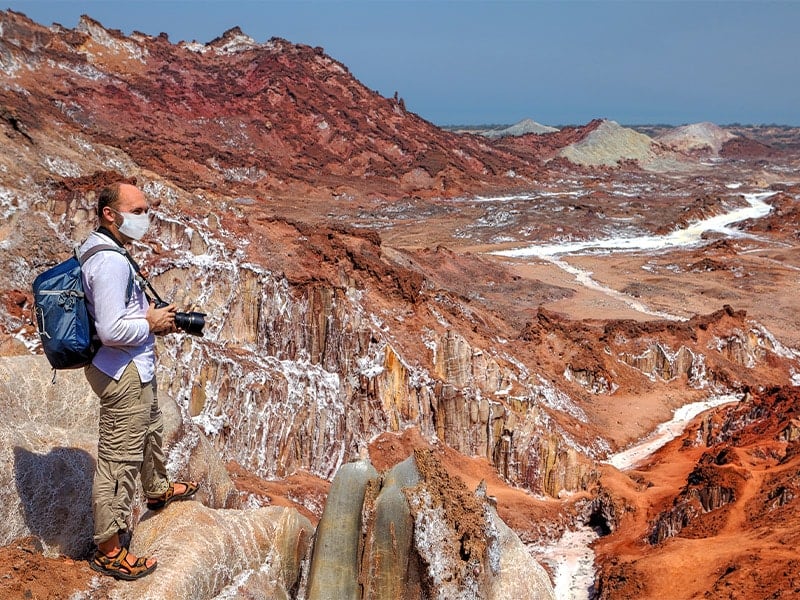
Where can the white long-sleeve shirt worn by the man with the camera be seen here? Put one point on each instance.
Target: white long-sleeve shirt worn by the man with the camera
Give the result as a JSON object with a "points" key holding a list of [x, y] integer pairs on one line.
{"points": [[122, 327]]}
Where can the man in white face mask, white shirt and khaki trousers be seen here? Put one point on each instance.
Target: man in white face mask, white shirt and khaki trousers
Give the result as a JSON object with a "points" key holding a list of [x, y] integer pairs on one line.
{"points": [[122, 374]]}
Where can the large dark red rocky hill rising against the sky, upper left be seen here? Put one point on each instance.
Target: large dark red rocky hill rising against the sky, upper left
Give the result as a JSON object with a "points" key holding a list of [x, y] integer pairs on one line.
{"points": [[275, 118]]}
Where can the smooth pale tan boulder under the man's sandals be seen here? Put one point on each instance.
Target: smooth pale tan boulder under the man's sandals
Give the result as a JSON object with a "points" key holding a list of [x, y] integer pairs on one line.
{"points": [[224, 553]]}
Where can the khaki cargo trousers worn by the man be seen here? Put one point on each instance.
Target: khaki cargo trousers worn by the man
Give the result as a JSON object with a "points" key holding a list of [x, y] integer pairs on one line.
{"points": [[129, 444]]}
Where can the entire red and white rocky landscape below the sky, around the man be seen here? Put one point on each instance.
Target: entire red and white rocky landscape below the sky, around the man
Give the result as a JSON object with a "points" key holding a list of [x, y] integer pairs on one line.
{"points": [[344, 250]]}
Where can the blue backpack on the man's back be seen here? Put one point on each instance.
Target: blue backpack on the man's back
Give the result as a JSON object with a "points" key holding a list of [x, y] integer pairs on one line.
{"points": [[66, 330]]}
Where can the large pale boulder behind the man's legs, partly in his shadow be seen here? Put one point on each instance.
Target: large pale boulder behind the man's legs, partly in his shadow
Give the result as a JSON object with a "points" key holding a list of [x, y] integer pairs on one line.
{"points": [[48, 450]]}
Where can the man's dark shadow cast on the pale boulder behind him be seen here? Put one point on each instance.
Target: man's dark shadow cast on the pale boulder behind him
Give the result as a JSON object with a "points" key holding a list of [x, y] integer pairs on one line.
{"points": [[55, 490]]}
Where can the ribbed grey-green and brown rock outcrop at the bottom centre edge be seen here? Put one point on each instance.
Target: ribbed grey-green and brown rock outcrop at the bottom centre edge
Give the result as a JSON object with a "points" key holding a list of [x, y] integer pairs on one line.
{"points": [[415, 533]]}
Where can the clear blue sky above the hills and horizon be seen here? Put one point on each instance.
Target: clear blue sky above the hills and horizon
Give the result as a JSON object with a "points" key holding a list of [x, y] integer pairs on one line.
{"points": [[479, 61]]}
